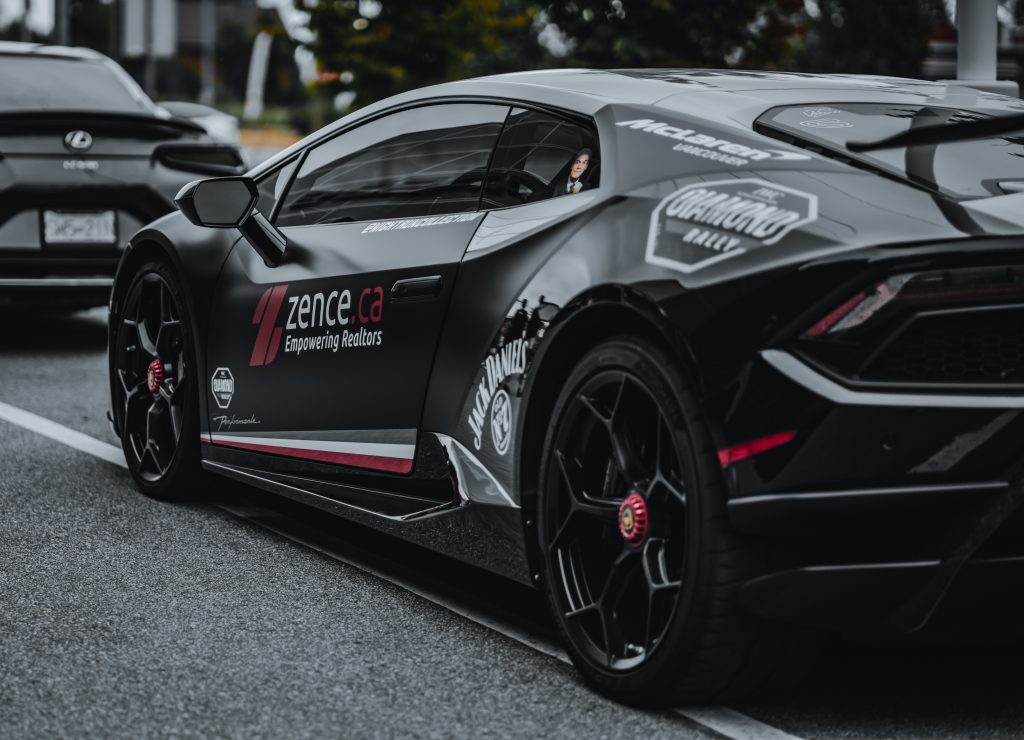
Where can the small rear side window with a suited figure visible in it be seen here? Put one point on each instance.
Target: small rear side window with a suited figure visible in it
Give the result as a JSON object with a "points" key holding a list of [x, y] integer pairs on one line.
{"points": [[542, 156]]}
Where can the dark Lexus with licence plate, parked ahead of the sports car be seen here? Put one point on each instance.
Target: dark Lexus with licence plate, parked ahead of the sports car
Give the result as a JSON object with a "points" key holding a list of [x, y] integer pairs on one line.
{"points": [[87, 160]]}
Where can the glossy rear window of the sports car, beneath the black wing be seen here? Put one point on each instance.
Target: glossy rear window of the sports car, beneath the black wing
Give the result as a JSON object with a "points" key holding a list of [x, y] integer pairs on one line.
{"points": [[979, 168]]}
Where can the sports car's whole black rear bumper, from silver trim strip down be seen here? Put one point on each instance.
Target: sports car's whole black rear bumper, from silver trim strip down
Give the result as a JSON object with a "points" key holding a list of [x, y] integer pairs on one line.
{"points": [[887, 509]]}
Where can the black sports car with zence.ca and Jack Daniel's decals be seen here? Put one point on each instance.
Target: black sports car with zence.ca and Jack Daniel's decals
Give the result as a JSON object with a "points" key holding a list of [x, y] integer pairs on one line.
{"points": [[719, 361]]}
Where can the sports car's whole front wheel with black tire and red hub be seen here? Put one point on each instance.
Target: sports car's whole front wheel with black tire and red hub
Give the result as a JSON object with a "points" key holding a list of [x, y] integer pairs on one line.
{"points": [[158, 416]]}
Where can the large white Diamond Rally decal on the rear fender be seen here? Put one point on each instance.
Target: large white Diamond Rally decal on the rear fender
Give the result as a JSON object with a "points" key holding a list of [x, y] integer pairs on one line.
{"points": [[707, 223]]}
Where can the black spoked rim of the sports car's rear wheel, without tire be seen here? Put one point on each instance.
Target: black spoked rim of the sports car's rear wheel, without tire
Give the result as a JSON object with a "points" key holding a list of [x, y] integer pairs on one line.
{"points": [[617, 520]]}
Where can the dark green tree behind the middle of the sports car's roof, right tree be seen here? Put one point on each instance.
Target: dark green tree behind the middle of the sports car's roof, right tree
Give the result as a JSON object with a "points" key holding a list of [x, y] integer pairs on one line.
{"points": [[757, 34]]}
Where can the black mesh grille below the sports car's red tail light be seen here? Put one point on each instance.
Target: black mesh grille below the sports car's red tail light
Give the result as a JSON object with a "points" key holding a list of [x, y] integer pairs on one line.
{"points": [[971, 347]]}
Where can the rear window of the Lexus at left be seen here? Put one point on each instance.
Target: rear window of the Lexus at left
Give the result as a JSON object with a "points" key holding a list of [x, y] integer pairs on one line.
{"points": [[42, 83]]}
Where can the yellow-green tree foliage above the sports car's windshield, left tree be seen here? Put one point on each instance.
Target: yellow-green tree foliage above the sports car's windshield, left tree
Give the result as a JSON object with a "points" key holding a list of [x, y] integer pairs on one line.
{"points": [[405, 45]]}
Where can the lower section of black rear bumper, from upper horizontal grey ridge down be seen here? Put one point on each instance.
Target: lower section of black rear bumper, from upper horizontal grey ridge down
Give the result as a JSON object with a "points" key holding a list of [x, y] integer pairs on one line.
{"points": [[881, 562]]}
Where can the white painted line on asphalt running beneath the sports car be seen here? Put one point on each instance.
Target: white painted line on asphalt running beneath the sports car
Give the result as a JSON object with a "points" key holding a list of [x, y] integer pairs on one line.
{"points": [[722, 720]]}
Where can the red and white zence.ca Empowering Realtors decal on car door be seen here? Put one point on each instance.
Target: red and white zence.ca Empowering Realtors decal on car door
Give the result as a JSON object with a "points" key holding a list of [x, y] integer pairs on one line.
{"points": [[317, 322]]}
